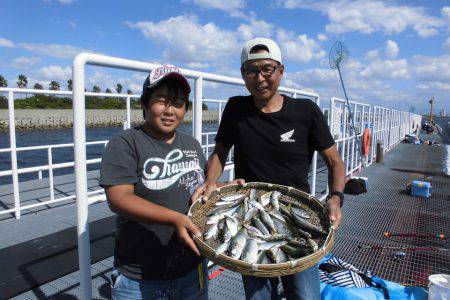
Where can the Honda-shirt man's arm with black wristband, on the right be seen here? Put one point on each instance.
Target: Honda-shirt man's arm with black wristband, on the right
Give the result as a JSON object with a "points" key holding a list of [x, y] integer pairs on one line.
{"points": [[336, 181]]}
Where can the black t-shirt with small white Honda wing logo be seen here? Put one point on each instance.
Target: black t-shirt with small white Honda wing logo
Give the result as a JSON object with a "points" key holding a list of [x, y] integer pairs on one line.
{"points": [[274, 147]]}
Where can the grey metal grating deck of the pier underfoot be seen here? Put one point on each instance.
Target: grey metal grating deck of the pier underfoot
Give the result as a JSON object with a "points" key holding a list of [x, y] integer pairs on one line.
{"points": [[386, 207]]}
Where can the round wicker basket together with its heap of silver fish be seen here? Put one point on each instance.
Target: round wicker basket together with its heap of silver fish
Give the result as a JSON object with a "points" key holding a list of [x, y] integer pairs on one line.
{"points": [[262, 229]]}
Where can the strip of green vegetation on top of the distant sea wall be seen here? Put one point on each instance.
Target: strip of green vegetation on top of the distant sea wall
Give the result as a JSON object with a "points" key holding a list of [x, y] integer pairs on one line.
{"points": [[53, 102]]}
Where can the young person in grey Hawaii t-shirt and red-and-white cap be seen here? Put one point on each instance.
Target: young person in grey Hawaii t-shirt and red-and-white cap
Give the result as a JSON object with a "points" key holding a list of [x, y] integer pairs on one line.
{"points": [[149, 174]]}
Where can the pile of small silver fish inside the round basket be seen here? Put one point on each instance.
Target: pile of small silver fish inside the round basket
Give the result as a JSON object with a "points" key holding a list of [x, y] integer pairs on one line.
{"points": [[264, 229]]}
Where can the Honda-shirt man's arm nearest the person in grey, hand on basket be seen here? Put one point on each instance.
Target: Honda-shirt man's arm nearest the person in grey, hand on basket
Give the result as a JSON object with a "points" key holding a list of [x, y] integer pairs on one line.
{"points": [[214, 168]]}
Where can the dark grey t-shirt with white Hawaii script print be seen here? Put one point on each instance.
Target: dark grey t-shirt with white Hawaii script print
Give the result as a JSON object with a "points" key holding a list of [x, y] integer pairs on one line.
{"points": [[165, 174]]}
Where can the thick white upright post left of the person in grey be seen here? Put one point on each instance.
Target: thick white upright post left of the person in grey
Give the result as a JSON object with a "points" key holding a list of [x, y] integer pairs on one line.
{"points": [[79, 135]]}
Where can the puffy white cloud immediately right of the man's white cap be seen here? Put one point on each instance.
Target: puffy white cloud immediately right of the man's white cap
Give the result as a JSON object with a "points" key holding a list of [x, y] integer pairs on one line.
{"points": [[299, 49]]}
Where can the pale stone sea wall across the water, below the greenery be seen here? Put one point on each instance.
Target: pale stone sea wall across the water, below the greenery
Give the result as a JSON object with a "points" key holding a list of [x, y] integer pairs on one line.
{"points": [[32, 119]]}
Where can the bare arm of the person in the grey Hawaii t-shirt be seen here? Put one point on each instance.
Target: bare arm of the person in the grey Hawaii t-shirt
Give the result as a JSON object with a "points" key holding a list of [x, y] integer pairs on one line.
{"points": [[124, 202]]}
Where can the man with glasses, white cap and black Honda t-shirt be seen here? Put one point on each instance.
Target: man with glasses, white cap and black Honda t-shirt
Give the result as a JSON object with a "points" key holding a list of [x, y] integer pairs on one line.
{"points": [[274, 138]]}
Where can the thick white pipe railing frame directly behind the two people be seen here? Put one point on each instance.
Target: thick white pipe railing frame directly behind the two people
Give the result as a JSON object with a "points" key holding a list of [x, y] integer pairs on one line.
{"points": [[80, 138]]}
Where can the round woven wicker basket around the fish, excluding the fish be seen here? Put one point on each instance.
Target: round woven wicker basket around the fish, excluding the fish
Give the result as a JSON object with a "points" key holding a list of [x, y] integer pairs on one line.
{"points": [[198, 212]]}
